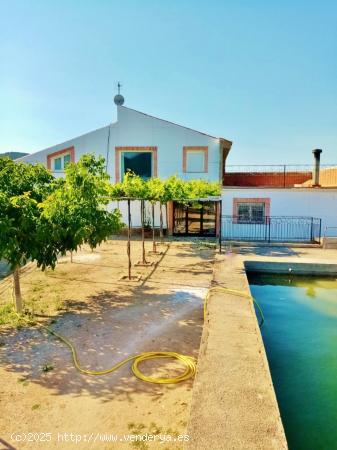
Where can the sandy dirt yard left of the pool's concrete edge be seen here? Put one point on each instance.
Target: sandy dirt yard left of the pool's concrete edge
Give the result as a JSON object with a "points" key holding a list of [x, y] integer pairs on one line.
{"points": [[107, 320]]}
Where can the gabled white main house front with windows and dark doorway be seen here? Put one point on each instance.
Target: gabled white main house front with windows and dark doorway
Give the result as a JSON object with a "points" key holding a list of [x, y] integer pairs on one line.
{"points": [[150, 146]]}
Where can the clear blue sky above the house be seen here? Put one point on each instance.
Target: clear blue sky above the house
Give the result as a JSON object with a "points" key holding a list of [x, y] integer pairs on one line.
{"points": [[260, 73]]}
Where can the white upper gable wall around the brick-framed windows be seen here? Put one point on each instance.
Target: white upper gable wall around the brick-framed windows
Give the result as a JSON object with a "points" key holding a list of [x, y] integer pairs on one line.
{"points": [[135, 129]]}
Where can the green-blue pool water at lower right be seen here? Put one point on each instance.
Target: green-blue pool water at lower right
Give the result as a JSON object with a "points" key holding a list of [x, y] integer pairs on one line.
{"points": [[300, 337]]}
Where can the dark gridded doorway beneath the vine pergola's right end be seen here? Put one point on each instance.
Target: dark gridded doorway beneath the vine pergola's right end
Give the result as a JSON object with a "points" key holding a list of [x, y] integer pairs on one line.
{"points": [[194, 219]]}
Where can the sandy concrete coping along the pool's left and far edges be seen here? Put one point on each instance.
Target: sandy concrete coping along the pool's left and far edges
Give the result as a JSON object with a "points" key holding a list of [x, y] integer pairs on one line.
{"points": [[234, 405]]}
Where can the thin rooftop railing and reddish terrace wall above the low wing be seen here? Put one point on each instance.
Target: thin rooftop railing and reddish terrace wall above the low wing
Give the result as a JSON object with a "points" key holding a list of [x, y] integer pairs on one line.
{"points": [[280, 176]]}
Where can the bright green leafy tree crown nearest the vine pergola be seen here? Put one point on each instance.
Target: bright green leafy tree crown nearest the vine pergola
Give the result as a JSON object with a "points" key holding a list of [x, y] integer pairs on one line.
{"points": [[77, 209]]}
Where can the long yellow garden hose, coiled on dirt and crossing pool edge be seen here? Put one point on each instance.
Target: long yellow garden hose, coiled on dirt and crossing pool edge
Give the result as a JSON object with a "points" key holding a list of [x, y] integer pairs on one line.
{"points": [[188, 361]]}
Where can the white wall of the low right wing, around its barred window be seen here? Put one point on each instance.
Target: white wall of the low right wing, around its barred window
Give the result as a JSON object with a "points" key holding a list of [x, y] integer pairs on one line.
{"points": [[311, 202]]}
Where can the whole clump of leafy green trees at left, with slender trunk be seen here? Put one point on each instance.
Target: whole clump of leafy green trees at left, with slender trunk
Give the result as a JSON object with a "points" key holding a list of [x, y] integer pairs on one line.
{"points": [[41, 217]]}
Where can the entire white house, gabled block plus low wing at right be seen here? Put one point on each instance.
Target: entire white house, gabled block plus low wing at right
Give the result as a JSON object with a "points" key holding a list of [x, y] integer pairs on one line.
{"points": [[282, 203]]}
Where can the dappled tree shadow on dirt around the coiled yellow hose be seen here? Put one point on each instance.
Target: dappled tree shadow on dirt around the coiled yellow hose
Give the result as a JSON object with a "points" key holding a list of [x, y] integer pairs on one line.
{"points": [[105, 330]]}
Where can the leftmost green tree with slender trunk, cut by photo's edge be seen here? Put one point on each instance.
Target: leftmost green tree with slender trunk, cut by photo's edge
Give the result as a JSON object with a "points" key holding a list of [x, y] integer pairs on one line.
{"points": [[23, 237]]}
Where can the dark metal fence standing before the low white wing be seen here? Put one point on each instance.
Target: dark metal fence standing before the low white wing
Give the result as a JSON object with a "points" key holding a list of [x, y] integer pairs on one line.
{"points": [[272, 229]]}
